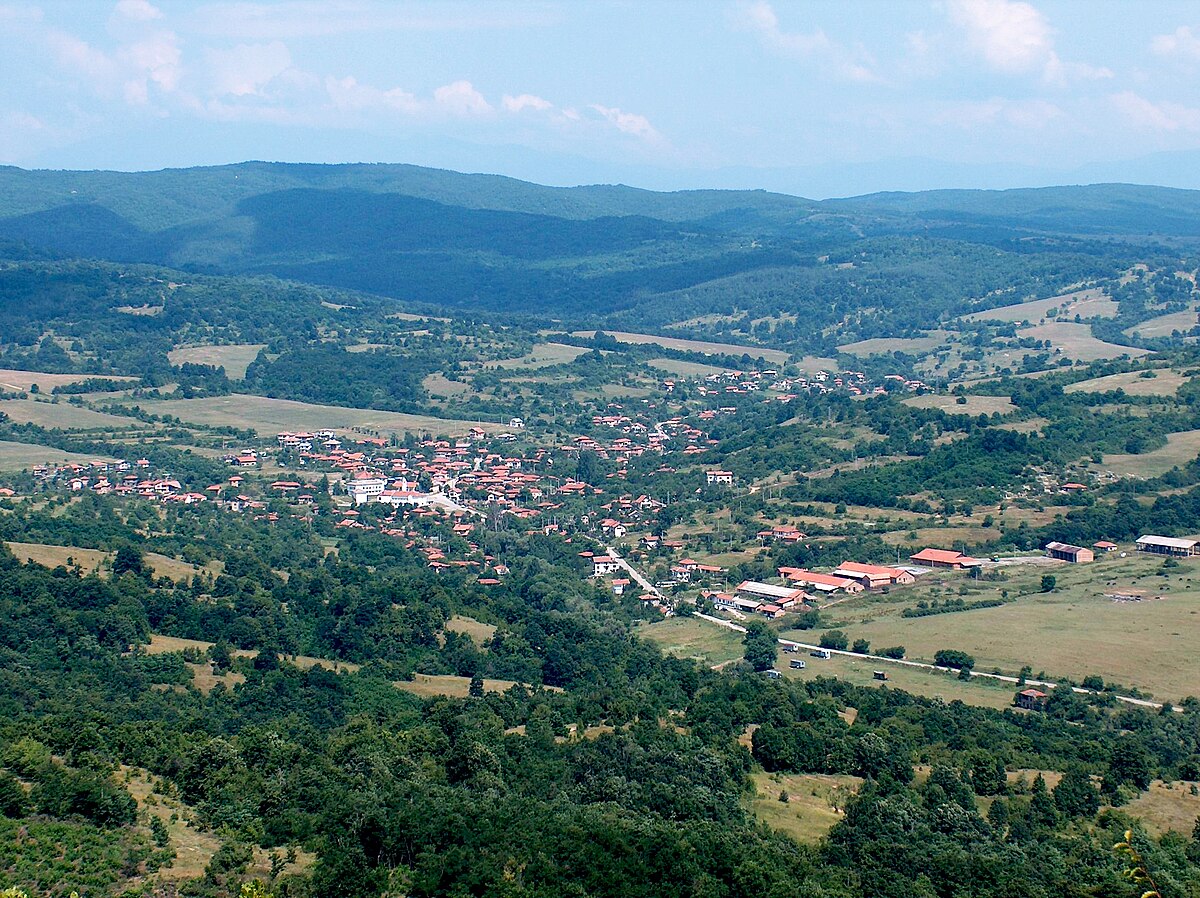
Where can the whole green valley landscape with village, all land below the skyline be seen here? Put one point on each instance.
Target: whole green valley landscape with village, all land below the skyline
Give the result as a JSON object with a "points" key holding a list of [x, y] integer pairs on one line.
{"points": [[317, 484]]}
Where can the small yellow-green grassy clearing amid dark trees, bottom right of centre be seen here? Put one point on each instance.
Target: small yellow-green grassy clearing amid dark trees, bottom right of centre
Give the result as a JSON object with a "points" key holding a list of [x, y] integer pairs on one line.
{"points": [[809, 812]]}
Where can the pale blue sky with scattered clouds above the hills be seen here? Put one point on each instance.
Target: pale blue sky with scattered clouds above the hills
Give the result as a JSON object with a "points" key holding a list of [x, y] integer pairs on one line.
{"points": [[809, 98]]}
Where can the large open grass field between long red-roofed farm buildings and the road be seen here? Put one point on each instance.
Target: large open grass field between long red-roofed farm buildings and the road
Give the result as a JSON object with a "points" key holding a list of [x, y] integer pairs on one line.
{"points": [[1075, 631]]}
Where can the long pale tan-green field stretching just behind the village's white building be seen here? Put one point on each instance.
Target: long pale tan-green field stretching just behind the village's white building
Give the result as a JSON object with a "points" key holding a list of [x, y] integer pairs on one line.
{"points": [[272, 416]]}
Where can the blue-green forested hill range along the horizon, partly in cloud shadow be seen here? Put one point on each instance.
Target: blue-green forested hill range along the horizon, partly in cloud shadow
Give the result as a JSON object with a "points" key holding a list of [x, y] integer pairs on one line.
{"points": [[603, 255]]}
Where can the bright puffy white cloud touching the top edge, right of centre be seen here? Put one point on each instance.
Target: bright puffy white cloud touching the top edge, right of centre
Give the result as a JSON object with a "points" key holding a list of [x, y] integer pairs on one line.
{"points": [[1016, 39]]}
